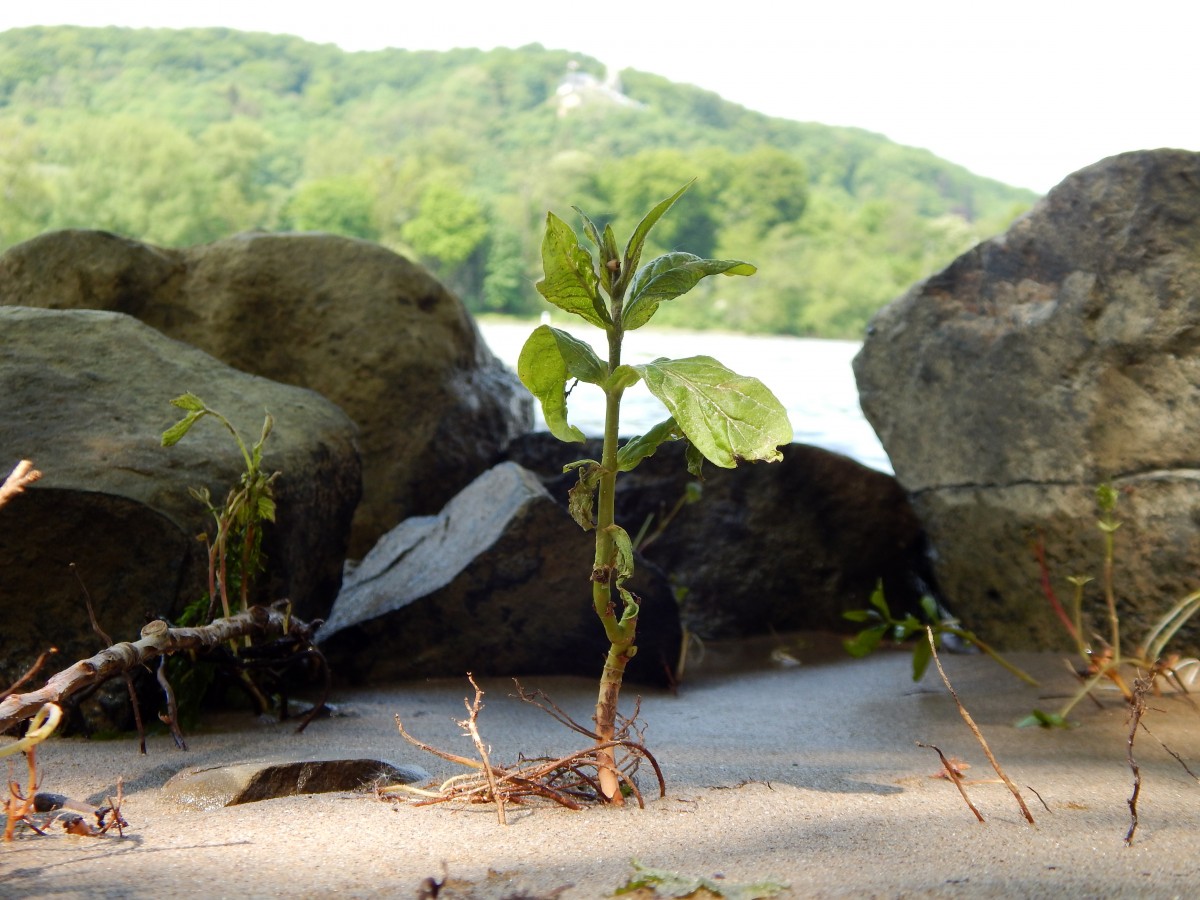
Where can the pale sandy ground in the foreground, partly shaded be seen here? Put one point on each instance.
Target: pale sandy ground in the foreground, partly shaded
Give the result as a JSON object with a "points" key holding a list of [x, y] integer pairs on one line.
{"points": [[807, 776]]}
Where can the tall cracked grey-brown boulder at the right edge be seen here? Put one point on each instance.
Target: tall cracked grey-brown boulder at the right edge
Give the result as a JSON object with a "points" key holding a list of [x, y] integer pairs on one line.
{"points": [[1063, 355]]}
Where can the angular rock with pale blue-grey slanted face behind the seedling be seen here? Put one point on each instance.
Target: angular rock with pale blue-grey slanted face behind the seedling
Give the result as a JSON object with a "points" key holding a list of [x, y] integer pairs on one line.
{"points": [[497, 584]]}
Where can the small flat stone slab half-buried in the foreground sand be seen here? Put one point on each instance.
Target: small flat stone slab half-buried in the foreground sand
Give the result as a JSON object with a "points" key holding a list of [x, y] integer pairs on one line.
{"points": [[215, 787]]}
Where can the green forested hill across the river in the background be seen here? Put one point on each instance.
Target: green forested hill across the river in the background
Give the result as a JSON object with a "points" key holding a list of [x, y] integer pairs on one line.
{"points": [[185, 137]]}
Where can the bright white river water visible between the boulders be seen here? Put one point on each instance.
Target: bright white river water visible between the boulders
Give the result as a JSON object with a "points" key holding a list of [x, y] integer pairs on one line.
{"points": [[813, 380]]}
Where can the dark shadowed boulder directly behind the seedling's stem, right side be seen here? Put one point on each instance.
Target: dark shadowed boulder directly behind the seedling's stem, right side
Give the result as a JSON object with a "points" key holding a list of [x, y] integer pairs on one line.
{"points": [[767, 548]]}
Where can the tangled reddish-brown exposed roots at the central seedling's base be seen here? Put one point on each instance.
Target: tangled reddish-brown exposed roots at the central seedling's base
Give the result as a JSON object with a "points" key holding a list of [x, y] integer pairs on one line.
{"points": [[571, 781]]}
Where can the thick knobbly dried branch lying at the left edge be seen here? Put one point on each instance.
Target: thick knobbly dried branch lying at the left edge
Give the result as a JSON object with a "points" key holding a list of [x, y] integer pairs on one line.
{"points": [[158, 639]]}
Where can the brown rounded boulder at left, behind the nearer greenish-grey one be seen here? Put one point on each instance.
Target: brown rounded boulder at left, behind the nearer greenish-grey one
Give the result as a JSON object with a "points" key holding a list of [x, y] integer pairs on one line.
{"points": [[350, 320]]}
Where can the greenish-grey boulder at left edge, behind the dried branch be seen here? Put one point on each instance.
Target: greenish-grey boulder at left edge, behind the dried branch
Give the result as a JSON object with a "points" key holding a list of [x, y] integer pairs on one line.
{"points": [[86, 398]]}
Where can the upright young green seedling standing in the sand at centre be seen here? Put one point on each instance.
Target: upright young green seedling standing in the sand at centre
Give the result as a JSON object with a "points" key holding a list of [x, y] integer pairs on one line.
{"points": [[724, 417]]}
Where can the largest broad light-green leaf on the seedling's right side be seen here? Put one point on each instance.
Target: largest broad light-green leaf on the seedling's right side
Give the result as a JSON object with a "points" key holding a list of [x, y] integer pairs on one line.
{"points": [[725, 416]]}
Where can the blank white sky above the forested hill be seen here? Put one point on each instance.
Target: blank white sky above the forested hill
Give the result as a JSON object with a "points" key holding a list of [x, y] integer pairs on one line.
{"points": [[1025, 92]]}
